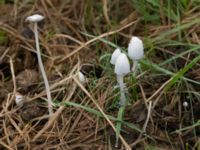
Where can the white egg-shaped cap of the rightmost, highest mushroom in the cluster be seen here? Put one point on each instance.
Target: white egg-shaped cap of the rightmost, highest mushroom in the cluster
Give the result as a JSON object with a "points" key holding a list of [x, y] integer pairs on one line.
{"points": [[135, 48]]}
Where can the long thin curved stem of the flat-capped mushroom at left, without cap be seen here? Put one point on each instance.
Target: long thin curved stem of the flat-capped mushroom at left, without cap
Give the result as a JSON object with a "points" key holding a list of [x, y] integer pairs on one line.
{"points": [[49, 99]]}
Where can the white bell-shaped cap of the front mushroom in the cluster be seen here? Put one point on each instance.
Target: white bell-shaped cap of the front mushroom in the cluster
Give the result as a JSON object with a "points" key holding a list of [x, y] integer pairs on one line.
{"points": [[122, 66]]}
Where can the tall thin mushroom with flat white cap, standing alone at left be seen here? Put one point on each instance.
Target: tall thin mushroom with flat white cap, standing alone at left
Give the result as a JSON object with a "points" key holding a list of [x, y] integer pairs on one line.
{"points": [[35, 19]]}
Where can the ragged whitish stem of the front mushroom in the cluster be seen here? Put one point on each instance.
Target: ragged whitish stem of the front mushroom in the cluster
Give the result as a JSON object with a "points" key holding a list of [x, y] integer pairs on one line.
{"points": [[120, 80]]}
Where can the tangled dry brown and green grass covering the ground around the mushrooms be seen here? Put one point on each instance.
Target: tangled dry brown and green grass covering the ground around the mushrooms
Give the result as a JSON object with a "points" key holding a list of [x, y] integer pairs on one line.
{"points": [[87, 116]]}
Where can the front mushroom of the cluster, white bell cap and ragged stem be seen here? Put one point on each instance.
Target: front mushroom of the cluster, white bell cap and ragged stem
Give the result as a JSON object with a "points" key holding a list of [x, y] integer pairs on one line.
{"points": [[122, 67]]}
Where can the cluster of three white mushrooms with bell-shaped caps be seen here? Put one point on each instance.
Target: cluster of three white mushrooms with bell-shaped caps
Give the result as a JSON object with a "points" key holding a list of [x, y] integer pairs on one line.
{"points": [[122, 65]]}
